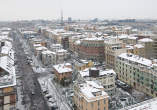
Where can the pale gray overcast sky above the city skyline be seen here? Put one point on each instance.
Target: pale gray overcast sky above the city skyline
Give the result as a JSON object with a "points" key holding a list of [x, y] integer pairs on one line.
{"points": [[83, 9]]}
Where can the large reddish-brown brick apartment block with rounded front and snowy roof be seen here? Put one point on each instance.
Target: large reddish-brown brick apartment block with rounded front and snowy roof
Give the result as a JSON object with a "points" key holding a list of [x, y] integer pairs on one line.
{"points": [[92, 49]]}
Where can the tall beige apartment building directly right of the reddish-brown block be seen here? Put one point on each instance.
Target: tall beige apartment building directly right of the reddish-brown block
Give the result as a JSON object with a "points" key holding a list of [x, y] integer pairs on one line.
{"points": [[113, 47]]}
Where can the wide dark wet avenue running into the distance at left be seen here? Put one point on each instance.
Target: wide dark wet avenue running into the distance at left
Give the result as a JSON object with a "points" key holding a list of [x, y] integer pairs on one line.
{"points": [[29, 79]]}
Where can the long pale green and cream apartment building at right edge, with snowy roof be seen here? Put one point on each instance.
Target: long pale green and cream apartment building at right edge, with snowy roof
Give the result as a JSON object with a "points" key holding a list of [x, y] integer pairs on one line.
{"points": [[138, 72]]}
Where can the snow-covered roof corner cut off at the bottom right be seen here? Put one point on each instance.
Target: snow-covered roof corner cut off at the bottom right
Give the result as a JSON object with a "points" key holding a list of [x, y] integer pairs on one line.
{"points": [[146, 105]]}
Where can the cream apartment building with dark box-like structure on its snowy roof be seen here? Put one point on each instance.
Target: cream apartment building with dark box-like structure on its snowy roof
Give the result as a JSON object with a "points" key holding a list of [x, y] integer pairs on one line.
{"points": [[106, 78]]}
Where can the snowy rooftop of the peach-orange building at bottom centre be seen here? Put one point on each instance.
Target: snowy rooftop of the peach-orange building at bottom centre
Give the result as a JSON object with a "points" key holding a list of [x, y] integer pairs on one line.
{"points": [[89, 90]]}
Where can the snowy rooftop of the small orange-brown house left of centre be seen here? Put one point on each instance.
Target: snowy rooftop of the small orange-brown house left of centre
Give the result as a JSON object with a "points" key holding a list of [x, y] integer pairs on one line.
{"points": [[62, 68]]}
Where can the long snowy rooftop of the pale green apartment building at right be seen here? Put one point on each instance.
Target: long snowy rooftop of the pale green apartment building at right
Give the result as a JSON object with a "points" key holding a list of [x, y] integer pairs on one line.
{"points": [[136, 58]]}
